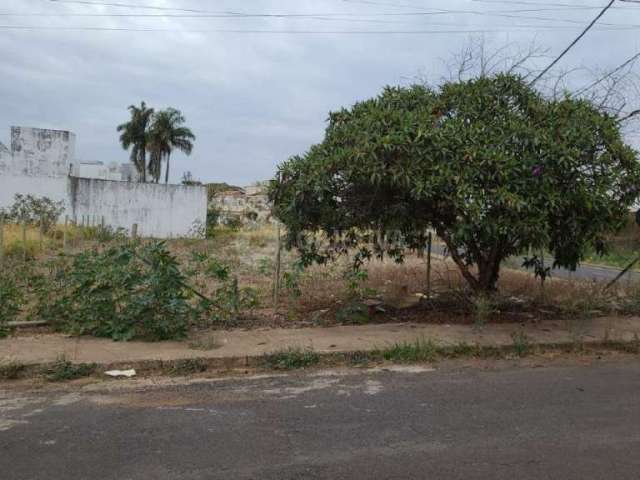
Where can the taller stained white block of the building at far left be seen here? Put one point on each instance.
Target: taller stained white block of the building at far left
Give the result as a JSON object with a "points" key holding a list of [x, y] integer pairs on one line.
{"points": [[40, 152]]}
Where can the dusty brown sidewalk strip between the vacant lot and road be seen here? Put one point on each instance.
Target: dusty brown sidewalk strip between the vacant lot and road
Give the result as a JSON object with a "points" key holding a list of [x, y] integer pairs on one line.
{"points": [[236, 344]]}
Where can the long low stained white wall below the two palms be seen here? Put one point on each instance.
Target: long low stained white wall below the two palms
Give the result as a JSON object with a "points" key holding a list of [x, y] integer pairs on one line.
{"points": [[160, 211]]}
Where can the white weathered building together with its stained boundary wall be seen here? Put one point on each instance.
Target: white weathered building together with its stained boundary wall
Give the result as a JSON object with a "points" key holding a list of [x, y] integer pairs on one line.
{"points": [[42, 163]]}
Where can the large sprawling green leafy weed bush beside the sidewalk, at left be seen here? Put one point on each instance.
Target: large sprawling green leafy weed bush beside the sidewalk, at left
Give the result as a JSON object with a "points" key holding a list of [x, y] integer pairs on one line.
{"points": [[123, 292]]}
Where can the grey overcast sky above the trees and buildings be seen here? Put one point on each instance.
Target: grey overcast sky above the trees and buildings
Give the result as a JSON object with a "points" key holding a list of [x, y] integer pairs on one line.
{"points": [[256, 89]]}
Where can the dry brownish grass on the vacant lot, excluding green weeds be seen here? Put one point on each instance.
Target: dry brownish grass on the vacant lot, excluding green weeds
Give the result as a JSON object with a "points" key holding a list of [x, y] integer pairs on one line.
{"points": [[318, 293]]}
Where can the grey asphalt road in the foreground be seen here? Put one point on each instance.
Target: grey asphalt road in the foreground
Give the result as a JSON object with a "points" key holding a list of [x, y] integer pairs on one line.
{"points": [[560, 422]]}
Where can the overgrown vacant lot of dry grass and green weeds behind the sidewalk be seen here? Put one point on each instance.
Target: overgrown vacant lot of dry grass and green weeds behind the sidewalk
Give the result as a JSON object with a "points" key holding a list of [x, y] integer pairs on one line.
{"points": [[112, 287]]}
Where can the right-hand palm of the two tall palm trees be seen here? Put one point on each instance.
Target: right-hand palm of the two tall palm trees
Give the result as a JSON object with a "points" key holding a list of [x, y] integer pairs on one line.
{"points": [[166, 134]]}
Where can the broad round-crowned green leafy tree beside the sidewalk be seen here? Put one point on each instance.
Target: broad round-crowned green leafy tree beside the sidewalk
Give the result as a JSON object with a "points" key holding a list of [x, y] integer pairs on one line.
{"points": [[489, 163]]}
